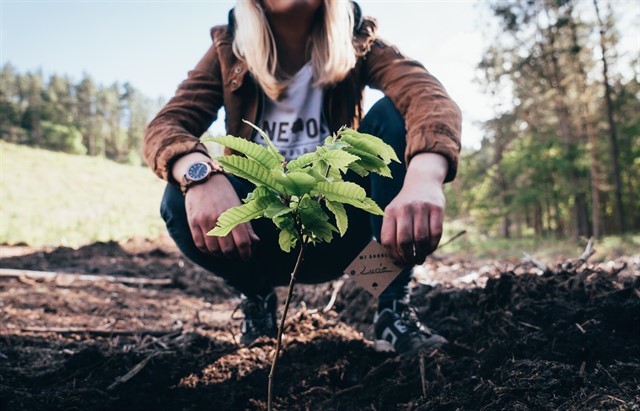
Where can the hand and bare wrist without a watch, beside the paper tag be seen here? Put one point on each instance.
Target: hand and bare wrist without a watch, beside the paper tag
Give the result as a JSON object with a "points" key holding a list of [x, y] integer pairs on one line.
{"points": [[412, 225]]}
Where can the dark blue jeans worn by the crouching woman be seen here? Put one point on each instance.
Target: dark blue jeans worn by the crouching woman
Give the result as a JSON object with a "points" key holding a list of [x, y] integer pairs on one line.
{"points": [[323, 262]]}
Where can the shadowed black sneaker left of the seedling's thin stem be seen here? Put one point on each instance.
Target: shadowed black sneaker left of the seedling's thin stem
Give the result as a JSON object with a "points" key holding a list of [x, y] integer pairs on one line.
{"points": [[259, 318]]}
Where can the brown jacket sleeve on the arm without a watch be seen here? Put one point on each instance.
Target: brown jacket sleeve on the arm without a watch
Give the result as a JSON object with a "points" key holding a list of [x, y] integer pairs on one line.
{"points": [[432, 119]]}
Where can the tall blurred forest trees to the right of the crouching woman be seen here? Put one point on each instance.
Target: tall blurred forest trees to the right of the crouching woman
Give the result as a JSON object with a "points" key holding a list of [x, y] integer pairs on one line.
{"points": [[545, 164]]}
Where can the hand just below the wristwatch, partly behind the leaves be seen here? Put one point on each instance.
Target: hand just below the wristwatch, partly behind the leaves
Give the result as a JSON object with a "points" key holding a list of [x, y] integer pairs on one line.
{"points": [[204, 204]]}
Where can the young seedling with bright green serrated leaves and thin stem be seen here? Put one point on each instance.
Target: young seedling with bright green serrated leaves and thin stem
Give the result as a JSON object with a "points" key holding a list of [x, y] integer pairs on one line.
{"points": [[293, 194]]}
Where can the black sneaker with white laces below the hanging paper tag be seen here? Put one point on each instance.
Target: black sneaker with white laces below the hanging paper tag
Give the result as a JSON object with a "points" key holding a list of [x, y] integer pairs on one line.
{"points": [[398, 330]]}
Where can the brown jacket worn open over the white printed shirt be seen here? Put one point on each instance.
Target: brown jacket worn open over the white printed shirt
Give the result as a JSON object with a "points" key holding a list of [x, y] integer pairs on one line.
{"points": [[432, 119]]}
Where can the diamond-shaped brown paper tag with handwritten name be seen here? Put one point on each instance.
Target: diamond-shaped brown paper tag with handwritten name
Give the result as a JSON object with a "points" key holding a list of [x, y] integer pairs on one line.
{"points": [[372, 269]]}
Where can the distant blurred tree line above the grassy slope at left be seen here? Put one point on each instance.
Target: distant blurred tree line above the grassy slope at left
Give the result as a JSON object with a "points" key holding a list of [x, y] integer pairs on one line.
{"points": [[78, 118]]}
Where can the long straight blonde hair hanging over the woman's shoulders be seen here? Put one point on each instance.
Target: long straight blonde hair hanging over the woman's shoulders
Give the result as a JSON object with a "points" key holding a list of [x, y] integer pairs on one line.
{"points": [[331, 42]]}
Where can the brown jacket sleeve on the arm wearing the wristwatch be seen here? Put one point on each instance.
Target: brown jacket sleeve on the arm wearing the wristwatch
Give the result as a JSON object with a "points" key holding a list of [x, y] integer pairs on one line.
{"points": [[175, 131]]}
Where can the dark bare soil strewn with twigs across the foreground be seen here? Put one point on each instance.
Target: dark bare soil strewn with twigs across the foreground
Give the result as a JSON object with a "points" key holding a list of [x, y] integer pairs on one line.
{"points": [[566, 339]]}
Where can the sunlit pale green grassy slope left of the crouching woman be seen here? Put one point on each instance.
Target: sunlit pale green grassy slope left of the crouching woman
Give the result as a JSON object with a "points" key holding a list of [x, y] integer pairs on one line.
{"points": [[51, 198]]}
